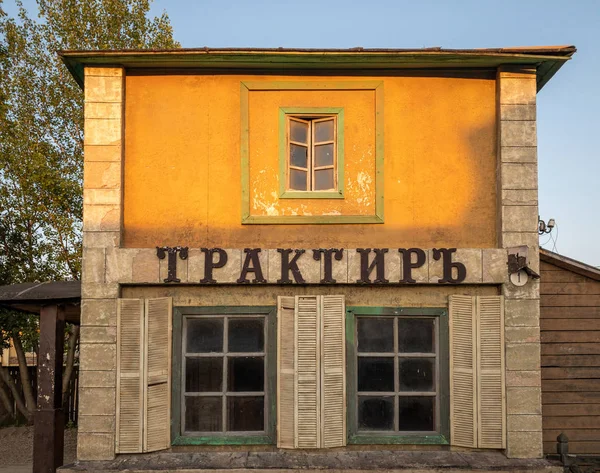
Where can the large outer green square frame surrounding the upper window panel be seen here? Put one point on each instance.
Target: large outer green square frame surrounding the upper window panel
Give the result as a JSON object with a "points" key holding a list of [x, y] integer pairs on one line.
{"points": [[247, 218]]}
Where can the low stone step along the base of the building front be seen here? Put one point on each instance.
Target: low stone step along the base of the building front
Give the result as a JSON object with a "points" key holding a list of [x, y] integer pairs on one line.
{"points": [[335, 461]]}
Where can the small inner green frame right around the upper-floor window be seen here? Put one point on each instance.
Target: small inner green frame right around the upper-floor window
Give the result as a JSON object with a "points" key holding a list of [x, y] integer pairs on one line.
{"points": [[284, 193]]}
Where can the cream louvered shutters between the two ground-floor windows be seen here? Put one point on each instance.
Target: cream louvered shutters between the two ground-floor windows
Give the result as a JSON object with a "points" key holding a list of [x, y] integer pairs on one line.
{"points": [[311, 375]]}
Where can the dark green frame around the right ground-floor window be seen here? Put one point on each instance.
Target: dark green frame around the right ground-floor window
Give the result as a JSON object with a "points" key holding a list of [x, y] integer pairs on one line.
{"points": [[381, 438]]}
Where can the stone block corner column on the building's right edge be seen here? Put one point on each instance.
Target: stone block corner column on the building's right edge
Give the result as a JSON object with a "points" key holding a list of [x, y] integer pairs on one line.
{"points": [[517, 225]]}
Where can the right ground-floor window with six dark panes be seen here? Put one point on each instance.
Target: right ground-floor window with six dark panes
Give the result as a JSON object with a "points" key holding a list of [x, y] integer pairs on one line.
{"points": [[398, 375]]}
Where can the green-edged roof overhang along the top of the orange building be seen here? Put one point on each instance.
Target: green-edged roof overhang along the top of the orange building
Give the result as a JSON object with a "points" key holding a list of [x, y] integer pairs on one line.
{"points": [[546, 60]]}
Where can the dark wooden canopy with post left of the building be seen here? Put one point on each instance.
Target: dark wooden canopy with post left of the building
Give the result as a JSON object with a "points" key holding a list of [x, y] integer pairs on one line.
{"points": [[56, 302]]}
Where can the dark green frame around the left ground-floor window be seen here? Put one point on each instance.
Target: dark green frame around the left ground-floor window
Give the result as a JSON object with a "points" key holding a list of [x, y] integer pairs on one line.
{"points": [[266, 438]]}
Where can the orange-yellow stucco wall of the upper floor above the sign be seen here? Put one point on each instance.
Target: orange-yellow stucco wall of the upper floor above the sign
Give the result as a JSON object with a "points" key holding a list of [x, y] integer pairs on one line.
{"points": [[182, 170]]}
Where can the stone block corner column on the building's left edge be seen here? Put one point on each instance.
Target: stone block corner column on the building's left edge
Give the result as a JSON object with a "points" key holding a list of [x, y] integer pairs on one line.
{"points": [[102, 224]]}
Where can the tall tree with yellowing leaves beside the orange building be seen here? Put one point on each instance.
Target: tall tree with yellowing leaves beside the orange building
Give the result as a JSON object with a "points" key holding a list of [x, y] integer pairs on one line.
{"points": [[41, 142]]}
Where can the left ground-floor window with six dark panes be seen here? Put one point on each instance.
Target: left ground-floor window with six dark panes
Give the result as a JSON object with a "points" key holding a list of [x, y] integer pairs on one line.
{"points": [[223, 363]]}
